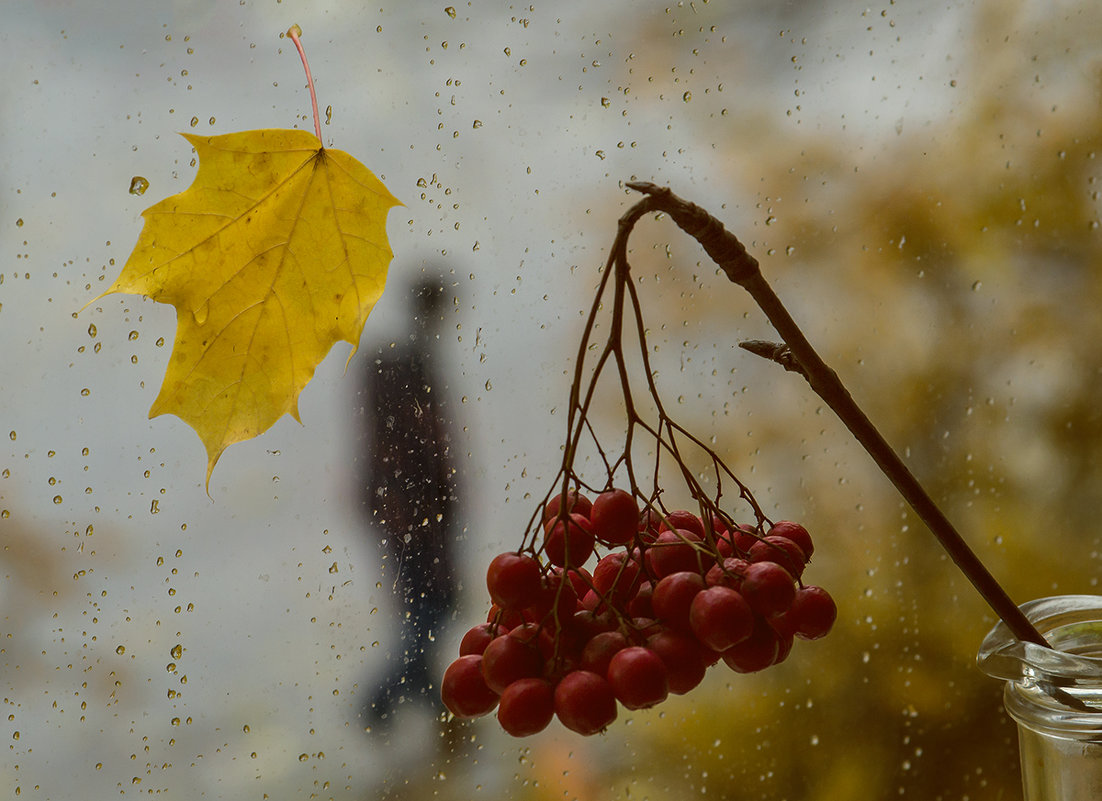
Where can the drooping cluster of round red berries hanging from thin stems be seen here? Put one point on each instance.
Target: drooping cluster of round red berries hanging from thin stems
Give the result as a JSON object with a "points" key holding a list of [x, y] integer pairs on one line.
{"points": [[675, 596]]}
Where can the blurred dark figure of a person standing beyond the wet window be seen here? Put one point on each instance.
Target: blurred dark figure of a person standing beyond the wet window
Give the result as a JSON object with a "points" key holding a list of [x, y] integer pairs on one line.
{"points": [[410, 494]]}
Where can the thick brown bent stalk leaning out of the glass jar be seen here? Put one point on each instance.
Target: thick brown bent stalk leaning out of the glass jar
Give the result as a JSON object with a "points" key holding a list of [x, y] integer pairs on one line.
{"points": [[797, 354]]}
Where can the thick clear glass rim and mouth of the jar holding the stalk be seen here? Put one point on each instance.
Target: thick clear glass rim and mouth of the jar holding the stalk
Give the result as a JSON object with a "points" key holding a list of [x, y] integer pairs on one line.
{"points": [[1072, 624]]}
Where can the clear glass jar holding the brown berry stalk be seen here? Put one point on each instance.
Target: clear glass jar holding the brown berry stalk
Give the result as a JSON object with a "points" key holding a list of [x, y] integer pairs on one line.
{"points": [[1055, 696]]}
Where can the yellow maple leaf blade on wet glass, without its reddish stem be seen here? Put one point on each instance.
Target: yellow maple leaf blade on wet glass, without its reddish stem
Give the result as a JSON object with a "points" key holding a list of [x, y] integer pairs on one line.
{"points": [[277, 252]]}
